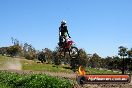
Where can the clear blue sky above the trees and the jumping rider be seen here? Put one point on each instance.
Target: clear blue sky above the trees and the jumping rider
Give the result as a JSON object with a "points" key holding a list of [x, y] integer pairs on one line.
{"points": [[97, 26]]}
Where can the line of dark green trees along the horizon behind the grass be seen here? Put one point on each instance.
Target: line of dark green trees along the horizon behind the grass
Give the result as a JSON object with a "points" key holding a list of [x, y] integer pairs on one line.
{"points": [[46, 55]]}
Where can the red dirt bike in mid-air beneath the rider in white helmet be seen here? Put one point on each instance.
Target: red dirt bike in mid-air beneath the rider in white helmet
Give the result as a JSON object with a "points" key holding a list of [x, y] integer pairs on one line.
{"points": [[69, 47]]}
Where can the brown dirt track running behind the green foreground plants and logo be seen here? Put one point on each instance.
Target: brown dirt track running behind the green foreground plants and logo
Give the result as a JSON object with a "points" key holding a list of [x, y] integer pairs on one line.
{"points": [[72, 76]]}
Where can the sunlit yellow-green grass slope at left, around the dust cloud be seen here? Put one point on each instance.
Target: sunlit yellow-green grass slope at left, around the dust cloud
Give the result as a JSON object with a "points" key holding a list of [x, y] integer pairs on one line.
{"points": [[33, 65]]}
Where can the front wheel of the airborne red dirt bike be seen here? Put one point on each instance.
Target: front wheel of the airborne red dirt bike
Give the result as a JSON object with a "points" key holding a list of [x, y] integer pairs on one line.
{"points": [[73, 52]]}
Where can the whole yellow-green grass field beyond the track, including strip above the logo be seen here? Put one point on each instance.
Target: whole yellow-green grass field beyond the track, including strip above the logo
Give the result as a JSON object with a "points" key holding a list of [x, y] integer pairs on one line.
{"points": [[33, 65]]}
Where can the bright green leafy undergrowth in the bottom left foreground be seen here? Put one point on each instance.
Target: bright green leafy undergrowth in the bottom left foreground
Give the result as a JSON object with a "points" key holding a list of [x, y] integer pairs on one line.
{"points": [[14, 80]]}
